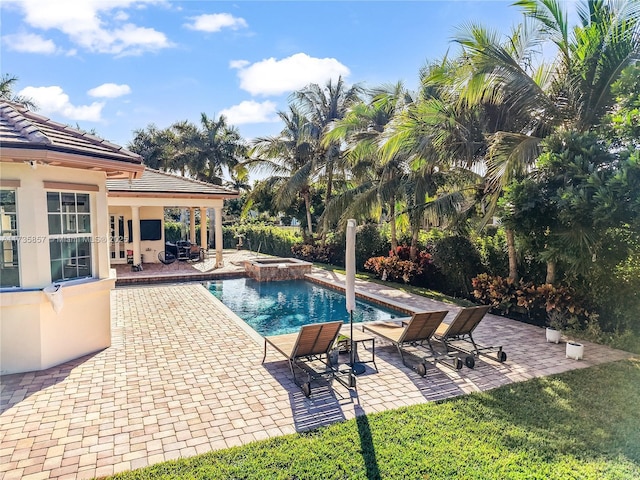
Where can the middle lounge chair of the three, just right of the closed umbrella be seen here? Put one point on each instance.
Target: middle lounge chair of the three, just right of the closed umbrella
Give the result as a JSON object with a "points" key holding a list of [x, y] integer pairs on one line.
{"points": [[417, 333]]}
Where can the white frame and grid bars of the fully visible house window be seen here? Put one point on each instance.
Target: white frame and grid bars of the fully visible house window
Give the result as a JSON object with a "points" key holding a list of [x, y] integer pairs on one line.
{"points": [[70, 237]]}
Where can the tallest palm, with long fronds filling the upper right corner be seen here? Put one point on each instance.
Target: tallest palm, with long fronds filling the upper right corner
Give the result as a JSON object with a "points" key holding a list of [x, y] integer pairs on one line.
{"points": [[570, 93]]}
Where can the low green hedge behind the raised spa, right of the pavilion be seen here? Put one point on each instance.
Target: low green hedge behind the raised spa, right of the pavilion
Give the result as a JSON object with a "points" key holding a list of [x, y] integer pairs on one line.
{"points": [[269, 240]]}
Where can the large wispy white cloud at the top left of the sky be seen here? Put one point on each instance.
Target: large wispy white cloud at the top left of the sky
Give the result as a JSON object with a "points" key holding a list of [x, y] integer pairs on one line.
{"points": [[87, 24]]}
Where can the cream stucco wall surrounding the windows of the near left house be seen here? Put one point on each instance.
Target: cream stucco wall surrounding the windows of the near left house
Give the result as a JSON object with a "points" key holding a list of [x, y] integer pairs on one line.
{"points": [[33, 335]]}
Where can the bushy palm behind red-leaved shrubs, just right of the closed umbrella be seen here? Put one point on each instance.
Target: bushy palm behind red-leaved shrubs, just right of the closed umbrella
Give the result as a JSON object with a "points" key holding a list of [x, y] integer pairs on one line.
{"points": [[440, 138]]}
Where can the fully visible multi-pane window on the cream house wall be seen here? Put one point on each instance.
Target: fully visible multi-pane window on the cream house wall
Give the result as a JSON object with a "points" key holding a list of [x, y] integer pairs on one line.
{"points": [[69, 235]]}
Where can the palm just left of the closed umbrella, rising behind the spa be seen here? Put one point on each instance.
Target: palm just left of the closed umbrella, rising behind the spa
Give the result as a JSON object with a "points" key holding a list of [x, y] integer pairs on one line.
{"points": [[289, 158]]}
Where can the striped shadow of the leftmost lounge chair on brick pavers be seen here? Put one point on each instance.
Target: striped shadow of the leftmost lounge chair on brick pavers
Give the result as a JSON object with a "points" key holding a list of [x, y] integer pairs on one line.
{"points": [[323, 407]]}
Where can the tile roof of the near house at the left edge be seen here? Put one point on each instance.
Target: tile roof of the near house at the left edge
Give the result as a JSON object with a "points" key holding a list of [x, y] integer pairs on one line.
{"points": [[23, 129]]}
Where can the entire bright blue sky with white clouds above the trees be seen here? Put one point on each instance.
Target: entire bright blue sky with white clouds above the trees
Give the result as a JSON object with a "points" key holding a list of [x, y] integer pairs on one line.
{"points": [[120, 65]]}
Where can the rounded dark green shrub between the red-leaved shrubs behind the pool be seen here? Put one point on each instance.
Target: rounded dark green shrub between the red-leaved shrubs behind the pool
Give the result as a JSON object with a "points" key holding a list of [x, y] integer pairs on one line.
{"points": [[459, 261]]}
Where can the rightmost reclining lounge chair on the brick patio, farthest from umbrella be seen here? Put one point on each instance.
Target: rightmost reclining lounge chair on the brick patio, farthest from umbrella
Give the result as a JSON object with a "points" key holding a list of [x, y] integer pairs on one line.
{"points": [[457, 336]]}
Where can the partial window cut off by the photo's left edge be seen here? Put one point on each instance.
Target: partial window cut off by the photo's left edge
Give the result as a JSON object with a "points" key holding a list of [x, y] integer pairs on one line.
{"points": [[9, 264]]}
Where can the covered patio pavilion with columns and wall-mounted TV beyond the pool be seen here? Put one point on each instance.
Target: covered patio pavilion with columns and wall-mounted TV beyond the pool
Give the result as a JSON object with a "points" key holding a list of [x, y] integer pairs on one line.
{"points": [[136, 213]]}
